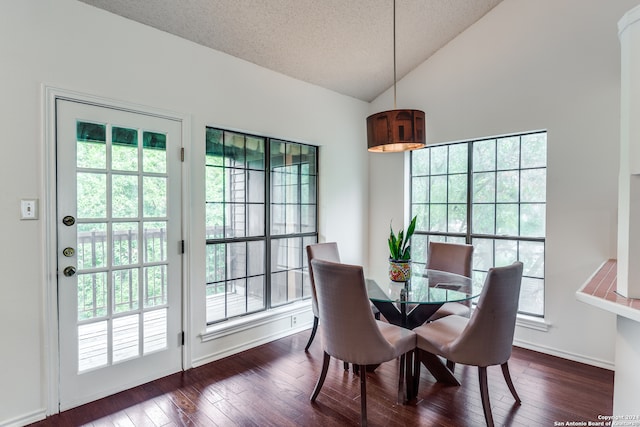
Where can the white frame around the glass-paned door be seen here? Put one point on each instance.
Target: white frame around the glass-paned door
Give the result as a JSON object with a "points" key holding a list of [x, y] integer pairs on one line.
{"points": [[50, 324]]}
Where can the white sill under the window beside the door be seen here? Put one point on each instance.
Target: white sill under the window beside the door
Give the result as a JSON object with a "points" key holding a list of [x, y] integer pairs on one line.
{"points": [[244, 323]]}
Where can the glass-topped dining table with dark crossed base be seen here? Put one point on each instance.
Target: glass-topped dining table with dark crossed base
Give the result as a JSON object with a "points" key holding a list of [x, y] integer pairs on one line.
{"points": [[410, 304]]}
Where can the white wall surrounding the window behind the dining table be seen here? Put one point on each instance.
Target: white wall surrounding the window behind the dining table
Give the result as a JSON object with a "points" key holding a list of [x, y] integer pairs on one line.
{"points": [[530, 65]]}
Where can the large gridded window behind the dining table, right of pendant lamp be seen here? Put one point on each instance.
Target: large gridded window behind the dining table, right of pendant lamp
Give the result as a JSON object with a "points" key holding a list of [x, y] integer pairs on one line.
{"points": [[490, 193]]}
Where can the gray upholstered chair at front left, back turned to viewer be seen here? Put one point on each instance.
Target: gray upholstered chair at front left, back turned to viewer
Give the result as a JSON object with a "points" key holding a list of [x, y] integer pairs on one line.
{"points": [[349, 331]]}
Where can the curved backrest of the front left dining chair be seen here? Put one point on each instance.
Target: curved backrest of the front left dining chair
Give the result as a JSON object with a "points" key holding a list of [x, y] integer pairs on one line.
{"points": [[348, 327]]}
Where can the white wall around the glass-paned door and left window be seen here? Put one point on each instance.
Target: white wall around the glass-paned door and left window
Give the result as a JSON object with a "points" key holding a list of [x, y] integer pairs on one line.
{"points": [[69, 45]]}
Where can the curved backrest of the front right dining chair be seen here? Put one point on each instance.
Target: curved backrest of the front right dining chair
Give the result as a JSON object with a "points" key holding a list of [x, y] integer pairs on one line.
{"points": [[488, 336]]}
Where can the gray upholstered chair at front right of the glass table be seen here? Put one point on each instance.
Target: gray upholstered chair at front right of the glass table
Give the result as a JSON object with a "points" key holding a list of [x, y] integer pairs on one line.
{"points": [[485, 339]]}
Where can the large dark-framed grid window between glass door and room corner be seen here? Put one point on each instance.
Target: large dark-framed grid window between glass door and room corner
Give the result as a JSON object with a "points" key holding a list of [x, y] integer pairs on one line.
{"points": [[260, 205]]}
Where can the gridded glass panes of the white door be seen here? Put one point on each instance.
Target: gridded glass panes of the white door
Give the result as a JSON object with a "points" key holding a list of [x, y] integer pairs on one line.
{"points": [[121, 176]]}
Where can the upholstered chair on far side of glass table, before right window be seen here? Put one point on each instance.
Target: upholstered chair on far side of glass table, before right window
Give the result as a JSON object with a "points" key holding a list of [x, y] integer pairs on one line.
{"points": [[454, 258]]}
